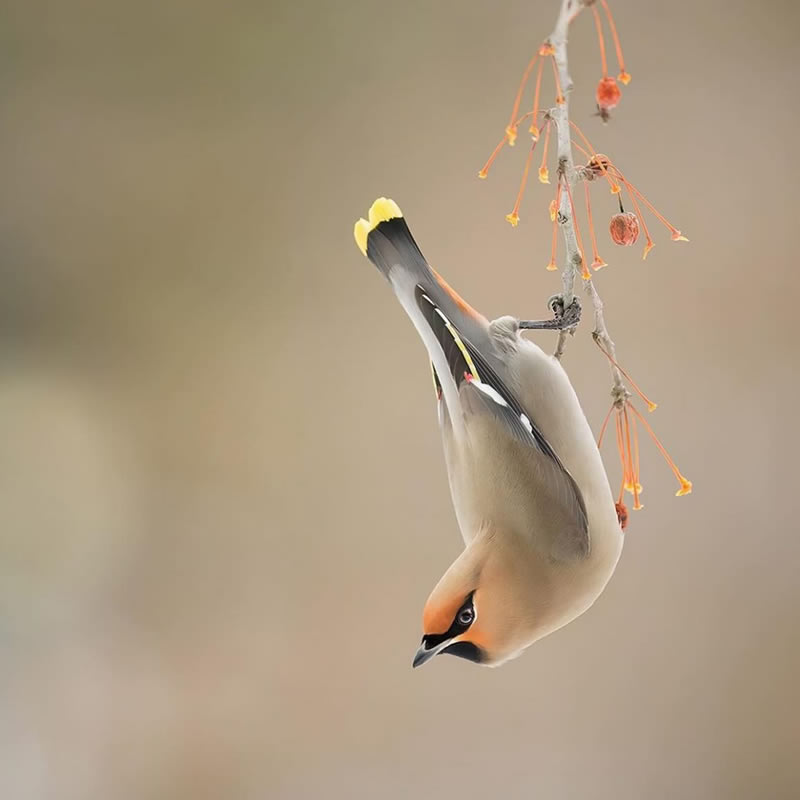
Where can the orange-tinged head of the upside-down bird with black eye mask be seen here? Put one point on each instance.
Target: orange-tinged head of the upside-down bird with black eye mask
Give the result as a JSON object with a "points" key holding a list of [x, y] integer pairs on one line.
{"points": [[477, 611]]}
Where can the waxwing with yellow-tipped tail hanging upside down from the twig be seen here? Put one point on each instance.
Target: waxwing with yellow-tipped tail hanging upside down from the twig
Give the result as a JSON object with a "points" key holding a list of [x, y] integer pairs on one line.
{"points": [[530, 492]]}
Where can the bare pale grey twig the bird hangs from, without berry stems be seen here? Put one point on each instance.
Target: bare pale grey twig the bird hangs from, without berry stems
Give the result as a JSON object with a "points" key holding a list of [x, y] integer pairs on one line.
{"points": [[566, 171]]}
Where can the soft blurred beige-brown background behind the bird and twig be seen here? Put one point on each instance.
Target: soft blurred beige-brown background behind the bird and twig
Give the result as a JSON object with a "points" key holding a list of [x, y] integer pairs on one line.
{"points": [[222, 506]]}
